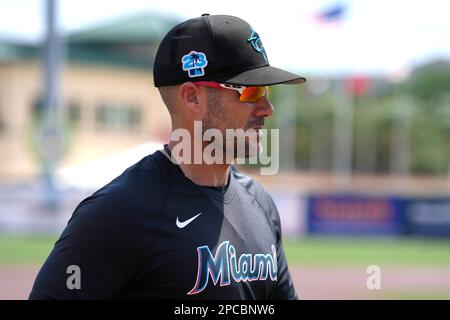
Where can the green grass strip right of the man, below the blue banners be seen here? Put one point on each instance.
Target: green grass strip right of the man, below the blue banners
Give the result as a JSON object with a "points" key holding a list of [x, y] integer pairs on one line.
{"points": [[367, 251]]}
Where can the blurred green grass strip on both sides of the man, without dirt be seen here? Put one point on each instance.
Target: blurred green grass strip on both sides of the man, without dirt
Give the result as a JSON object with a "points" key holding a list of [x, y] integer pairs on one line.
{"points": [[32, 250]]}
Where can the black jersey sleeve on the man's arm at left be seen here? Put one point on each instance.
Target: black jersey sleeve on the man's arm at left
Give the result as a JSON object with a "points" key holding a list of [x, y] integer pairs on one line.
{"points": [[98, 255]]}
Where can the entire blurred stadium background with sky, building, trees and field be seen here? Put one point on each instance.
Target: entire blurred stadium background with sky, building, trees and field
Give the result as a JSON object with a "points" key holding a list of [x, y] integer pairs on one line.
{"points": [[364, 145]]}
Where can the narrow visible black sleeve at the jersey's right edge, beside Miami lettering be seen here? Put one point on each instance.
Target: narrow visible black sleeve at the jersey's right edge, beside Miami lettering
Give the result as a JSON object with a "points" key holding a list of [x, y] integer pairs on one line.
{"points": [[285, 287]]}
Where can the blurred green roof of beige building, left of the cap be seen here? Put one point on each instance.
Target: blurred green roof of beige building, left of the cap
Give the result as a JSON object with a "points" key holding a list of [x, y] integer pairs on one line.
{"points": [[128, 41]]}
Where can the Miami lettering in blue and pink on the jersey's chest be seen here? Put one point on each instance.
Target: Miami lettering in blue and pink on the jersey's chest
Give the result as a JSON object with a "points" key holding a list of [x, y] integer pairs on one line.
{"points": [[226, 266]]}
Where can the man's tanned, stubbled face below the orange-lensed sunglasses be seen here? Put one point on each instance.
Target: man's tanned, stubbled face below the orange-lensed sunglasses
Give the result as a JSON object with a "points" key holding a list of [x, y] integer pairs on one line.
{"points": [[225, 111]]}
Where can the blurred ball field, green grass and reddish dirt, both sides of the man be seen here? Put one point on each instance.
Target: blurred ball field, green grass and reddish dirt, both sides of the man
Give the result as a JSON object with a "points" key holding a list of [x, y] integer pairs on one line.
{"points": [[321, 268]]}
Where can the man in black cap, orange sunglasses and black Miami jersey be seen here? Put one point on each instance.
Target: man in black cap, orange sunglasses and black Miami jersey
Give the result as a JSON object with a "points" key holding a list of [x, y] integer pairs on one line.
{"points": [[173, 228]]}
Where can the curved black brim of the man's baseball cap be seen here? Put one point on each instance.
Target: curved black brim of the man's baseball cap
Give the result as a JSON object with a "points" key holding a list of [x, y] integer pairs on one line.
{"points": [[263, 76]]}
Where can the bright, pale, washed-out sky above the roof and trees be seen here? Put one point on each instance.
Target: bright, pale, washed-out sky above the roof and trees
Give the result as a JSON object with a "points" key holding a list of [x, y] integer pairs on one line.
{"points": [[376, 36]]}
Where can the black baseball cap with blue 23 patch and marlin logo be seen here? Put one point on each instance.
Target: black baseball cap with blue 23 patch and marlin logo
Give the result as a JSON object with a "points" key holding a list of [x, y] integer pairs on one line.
{"points": [[218, 48]]}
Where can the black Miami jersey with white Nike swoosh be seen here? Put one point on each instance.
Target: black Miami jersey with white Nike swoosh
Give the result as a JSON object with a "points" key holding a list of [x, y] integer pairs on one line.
{"points": [[152, 233]]}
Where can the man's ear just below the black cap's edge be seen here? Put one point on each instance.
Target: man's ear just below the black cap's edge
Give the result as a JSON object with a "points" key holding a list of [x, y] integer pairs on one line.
{"points": [[193, 99]]}
